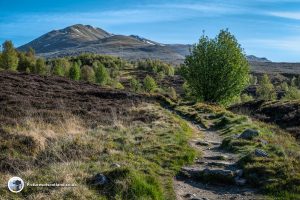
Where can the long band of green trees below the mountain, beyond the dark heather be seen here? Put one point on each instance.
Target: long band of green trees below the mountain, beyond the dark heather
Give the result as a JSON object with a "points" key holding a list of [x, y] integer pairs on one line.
{"points": [[100, 69]]}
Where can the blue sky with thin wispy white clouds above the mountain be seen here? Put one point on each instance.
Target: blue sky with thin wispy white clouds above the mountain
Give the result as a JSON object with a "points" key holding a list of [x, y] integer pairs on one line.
{"points": [[265, 28]]}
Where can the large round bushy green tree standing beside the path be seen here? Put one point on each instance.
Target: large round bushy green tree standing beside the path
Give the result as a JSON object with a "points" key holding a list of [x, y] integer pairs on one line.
{"points": [[217, 69]]}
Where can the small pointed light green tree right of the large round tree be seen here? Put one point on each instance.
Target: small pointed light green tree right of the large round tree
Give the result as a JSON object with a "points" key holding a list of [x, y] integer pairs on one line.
{"points": [[266, 89]]}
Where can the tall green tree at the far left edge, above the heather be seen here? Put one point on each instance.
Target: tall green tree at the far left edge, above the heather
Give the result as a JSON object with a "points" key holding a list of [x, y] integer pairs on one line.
{"points": [[9, 57]]}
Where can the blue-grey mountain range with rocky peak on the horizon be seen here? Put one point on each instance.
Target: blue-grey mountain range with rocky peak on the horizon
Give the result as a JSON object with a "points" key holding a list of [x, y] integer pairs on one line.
{"points": [[77, 39]]}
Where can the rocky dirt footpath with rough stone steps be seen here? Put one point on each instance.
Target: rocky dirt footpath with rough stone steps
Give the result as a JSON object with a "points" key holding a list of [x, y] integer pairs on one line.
{"points": [[213, 176]]}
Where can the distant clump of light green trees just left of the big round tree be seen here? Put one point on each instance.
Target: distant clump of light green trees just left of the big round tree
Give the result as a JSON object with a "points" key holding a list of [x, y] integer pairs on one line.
{"points": [[156, 66]]}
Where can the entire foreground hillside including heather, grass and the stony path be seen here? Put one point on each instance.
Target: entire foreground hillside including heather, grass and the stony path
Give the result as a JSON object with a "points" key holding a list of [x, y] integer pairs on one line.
{"points": [[113, 144]]}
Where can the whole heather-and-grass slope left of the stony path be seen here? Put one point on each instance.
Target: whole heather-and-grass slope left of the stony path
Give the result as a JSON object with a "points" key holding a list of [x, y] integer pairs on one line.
{"points": [[54, 130]]}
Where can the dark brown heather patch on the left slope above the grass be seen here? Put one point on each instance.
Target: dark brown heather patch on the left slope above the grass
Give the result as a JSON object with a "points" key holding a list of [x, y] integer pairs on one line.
{"points": [[24, 95]]}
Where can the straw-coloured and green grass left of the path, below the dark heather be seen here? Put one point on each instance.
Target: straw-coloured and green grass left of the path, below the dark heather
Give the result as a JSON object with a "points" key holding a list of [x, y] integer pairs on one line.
{"points": [[150, 154]]}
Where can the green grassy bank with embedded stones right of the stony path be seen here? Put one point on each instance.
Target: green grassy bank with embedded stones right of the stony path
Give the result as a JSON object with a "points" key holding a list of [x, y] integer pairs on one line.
{"points": [[278, 175]]}
